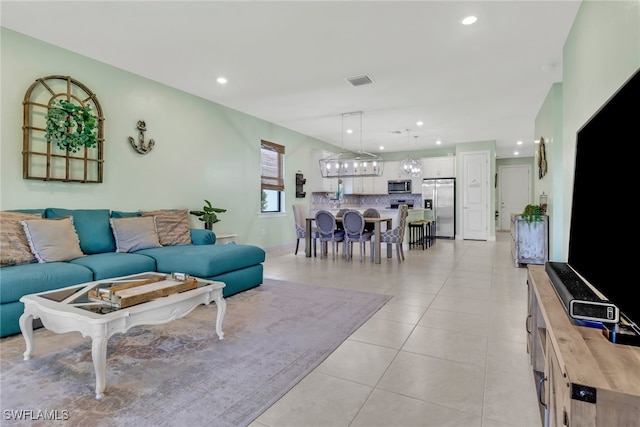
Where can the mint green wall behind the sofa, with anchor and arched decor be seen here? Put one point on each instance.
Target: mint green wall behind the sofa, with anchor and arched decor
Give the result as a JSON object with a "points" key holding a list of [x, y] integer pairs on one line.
{"points": [[202, 150]]}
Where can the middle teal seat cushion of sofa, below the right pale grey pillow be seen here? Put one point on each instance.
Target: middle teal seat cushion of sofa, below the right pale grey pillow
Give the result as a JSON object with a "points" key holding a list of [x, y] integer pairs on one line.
{"points": [[116, 264]]}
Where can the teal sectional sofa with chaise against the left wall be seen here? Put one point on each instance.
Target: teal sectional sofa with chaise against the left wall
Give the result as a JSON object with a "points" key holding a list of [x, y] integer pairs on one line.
{"points": [[196, 253]]}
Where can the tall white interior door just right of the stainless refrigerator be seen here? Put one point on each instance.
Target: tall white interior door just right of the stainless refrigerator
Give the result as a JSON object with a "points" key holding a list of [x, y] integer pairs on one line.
{"points": [[475, 198]]}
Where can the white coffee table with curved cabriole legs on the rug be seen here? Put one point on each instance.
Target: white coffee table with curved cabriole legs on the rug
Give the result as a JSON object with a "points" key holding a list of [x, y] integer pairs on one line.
{"points": [[69, 309]]}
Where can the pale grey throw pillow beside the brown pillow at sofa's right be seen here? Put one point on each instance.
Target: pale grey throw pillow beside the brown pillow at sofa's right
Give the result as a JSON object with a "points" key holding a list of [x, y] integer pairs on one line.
{"points": [[135, 233]]}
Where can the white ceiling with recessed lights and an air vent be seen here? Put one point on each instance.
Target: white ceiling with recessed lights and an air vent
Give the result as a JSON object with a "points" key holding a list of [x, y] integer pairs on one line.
{"points": [[287, 61]]}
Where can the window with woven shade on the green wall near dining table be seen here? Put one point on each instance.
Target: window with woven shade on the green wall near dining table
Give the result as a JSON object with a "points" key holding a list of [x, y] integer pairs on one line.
{"points": [[272, 176]]}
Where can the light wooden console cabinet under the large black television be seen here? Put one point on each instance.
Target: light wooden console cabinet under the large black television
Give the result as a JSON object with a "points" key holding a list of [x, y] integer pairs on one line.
{"points": [[584, 379]]}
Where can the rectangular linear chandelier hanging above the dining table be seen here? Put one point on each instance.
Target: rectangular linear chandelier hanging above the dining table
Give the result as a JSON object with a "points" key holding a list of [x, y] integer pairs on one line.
{"points": [[349, 164]]}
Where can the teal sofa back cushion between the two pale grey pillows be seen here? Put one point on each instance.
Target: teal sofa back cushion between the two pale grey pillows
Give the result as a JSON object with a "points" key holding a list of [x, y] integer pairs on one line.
{"points": [[92, 226]]}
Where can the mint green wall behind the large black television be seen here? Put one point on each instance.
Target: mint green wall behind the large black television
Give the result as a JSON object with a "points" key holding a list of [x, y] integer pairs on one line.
{"points": [[601, 52]]}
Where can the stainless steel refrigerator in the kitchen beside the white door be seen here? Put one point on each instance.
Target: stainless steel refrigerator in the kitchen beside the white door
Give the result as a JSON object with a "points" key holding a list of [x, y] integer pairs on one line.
{"points": [[439, 195]]}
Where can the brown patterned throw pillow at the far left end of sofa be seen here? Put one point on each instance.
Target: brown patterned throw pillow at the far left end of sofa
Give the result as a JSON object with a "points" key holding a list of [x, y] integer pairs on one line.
{"points": [[14, 247]]}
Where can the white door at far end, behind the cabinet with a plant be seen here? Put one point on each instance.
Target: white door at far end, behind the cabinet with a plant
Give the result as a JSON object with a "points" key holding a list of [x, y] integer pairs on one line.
{"points": [[514, 189]]}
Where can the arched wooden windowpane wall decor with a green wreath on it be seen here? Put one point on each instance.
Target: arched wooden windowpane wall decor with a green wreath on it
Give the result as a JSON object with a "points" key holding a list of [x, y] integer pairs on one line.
{"points": [[47, 161]]}
